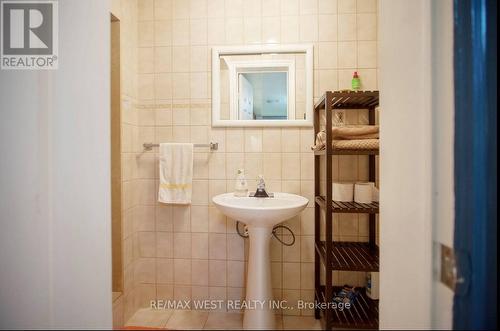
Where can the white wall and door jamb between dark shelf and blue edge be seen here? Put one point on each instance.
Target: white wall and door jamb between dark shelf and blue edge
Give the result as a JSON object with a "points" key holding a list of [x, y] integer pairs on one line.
{"points": [[416, 84]]}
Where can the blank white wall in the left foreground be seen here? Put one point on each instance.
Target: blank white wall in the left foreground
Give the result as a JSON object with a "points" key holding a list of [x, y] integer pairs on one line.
{"points": [[54, 174]]}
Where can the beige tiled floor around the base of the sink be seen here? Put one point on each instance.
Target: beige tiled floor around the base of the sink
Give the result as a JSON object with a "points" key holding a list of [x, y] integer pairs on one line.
{"points": [[202, 320]]}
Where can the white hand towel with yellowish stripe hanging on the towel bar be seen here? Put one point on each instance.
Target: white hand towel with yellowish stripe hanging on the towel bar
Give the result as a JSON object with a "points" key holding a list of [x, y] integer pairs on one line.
{"points": [[176, 173]]}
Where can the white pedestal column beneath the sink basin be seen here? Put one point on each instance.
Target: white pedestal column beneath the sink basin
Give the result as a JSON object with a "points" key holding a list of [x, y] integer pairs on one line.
{"points": [[259, 293]]}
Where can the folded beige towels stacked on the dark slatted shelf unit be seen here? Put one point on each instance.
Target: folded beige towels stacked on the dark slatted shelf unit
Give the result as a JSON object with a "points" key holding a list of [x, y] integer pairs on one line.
{"points": [[364, 137]]}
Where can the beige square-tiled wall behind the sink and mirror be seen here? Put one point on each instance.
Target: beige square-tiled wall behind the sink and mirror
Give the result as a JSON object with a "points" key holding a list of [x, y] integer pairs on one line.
{"points": [[193, 252]]}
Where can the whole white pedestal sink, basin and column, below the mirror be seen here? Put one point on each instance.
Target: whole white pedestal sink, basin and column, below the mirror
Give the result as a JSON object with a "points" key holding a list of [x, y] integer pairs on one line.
{"points": [[260, 215]]}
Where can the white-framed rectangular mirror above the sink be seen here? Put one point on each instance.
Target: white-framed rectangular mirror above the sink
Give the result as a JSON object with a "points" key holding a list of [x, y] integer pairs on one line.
{"points": [[261, 86]]}
